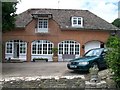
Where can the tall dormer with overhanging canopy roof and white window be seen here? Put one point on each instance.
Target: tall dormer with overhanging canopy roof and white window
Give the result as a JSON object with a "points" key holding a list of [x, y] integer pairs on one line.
{"points": [[42, 22]]}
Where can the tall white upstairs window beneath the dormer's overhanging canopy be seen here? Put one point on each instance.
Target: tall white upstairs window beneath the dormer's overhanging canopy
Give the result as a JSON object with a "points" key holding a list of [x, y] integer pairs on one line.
{"points": [[42, 29]]}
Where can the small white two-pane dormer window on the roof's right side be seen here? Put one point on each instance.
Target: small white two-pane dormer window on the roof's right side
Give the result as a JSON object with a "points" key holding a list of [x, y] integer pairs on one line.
{"points": [[77, 22]]}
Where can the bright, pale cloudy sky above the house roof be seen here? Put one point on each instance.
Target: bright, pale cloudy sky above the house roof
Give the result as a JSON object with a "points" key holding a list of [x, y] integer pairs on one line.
{"points": [[106, 9]]}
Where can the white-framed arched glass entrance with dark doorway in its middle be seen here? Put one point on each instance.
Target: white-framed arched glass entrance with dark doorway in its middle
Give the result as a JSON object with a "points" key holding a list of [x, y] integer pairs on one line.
{"points": [[16, 49]]}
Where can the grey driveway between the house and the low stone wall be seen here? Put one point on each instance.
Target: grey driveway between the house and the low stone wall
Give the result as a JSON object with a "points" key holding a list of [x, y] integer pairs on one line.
{"points": [[28, 69]]}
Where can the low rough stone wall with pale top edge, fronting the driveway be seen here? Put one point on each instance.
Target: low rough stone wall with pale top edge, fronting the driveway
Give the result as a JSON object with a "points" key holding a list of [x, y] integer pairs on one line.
{"points": [[45, 83]]}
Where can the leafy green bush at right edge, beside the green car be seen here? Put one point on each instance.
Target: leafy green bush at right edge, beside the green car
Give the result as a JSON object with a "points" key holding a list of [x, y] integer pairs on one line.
{"points": [[113, 57]]}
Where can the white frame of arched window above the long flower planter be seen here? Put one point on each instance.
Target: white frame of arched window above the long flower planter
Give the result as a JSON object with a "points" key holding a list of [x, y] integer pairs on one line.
{"points": [[42, 42]]}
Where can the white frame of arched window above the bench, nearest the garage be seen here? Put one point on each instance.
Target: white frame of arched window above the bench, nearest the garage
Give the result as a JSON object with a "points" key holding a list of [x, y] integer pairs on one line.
{"points": [[63, 48]]}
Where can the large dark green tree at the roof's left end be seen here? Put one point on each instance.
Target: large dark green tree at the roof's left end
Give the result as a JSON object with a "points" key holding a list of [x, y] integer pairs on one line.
{"points": [[8, 15]]}
